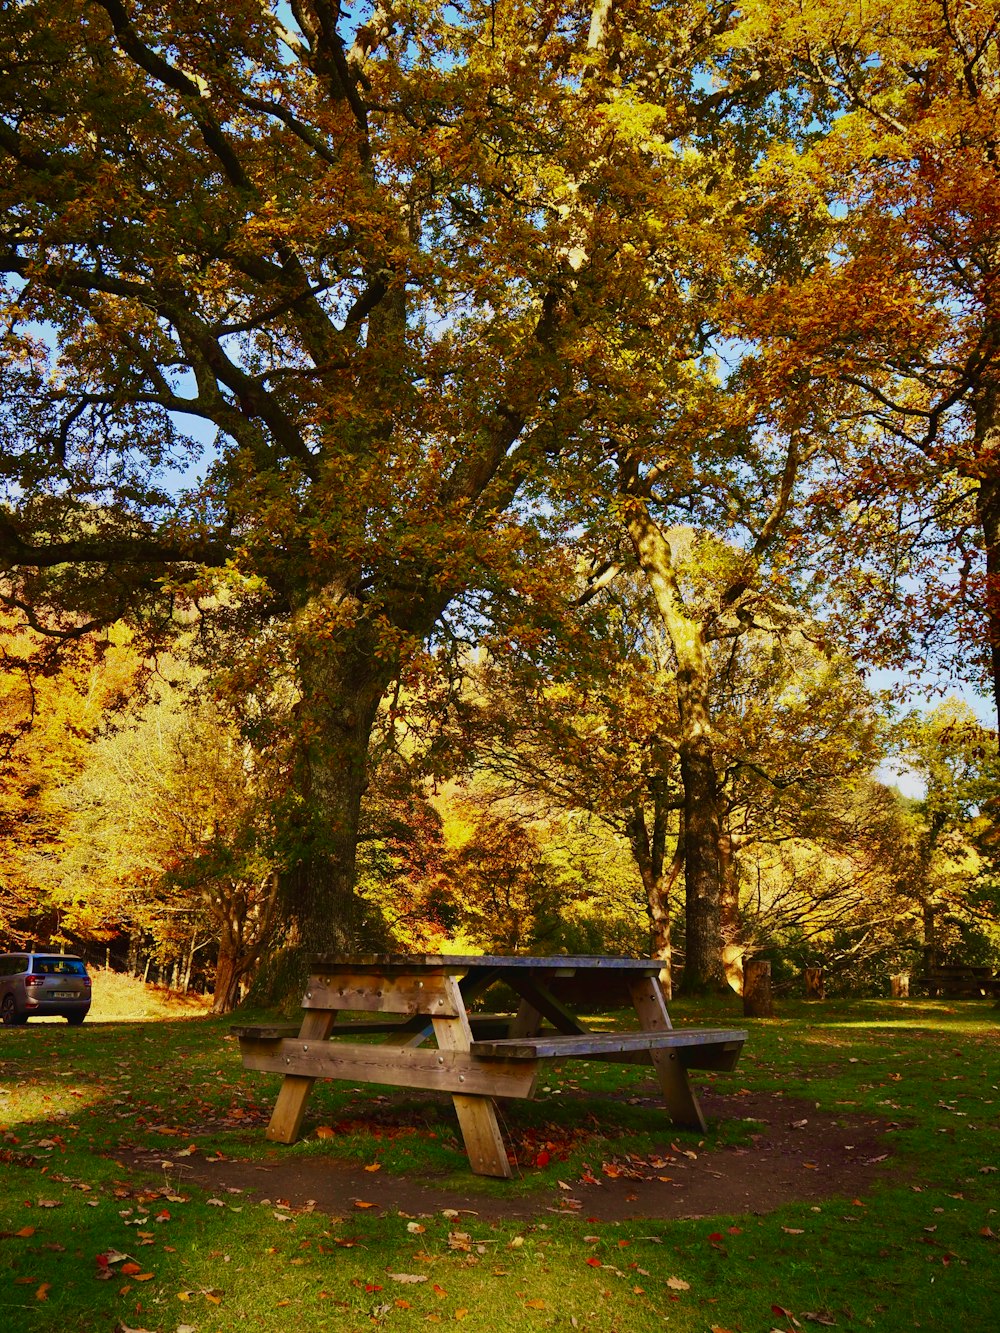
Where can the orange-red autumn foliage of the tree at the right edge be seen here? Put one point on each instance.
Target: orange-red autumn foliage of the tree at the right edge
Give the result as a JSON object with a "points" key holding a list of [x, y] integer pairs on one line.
{"points": [[898, 326]]}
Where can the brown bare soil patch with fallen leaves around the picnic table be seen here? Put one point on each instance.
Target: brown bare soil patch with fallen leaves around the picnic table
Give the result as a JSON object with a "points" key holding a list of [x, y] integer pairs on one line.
{"points": [[795, 1154]]}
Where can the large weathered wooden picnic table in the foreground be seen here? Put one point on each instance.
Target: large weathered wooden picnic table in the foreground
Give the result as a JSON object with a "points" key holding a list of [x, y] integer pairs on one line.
{"points": [[478, 1056]]}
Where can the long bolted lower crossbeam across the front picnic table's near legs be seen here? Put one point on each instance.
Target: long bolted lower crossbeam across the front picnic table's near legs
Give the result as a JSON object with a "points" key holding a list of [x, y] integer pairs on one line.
{"points": [[402, 1067]]}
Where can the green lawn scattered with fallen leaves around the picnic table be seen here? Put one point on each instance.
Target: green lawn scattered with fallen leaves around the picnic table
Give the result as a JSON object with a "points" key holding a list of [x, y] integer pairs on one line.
{"points": [[917, 1252]]}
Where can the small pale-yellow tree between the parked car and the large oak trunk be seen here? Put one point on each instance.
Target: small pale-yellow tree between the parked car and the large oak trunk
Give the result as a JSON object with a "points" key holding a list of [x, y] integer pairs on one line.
{"points": [[170, 831]]}
